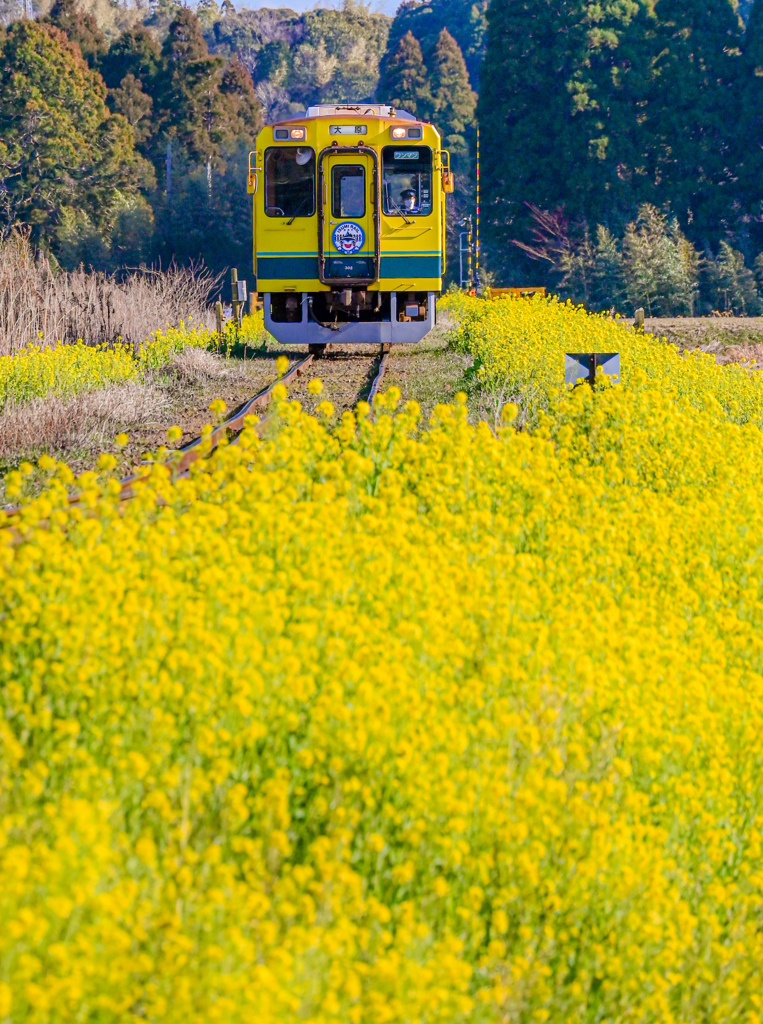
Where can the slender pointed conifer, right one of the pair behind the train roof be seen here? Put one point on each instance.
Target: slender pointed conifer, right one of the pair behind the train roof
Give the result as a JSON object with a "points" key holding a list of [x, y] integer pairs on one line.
{"points": [[453, 100]]}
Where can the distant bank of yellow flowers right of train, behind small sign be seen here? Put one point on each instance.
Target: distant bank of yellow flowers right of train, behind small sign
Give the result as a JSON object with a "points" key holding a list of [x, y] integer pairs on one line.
{"points": [[520, 347]]}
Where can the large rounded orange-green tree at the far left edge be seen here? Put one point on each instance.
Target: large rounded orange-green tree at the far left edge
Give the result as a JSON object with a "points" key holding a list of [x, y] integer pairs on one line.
{"points": [[61, 149]]}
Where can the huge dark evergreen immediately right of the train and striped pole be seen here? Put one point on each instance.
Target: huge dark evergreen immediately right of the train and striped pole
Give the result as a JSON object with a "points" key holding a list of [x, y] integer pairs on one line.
{"points": [[565, 91]]}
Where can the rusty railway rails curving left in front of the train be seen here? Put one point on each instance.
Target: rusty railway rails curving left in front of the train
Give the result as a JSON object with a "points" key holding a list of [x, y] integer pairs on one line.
{"points": [[184, 458]]}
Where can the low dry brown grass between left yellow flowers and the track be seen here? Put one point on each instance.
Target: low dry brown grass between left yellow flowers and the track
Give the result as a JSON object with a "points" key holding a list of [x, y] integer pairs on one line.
{"points": [[88, 421]]}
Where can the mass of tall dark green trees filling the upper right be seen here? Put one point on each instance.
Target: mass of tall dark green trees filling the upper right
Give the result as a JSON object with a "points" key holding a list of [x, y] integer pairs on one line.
{"points": [[604, 108]]}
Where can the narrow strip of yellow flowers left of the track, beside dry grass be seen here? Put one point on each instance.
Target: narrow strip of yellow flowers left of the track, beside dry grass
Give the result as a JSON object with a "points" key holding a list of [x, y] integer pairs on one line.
{"points": [[69, 370]]}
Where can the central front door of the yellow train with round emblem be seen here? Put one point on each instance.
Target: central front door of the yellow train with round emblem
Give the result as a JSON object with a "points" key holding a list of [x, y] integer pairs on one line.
{"points": [[349, 187]]}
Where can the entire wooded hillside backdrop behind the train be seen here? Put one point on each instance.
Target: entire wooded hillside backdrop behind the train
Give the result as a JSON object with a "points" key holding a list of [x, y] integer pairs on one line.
{"points": [[622, 141]]}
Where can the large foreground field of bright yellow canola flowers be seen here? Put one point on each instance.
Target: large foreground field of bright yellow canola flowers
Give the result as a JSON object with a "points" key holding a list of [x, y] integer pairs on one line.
{"points": [[364, 722]]}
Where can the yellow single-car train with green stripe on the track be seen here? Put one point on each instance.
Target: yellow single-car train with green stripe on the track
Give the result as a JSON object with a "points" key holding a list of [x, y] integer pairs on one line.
{"points": [[350, 225]]}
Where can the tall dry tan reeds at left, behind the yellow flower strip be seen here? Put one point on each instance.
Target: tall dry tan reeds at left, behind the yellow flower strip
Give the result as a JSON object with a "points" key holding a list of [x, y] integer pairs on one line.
{"points": [[37, 302]]}
